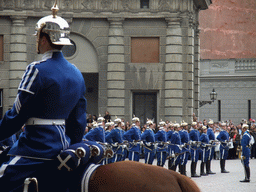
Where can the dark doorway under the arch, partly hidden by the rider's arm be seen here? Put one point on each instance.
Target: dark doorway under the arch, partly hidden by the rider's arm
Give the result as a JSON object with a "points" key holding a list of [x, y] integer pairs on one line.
{"points": [[91, 83]]}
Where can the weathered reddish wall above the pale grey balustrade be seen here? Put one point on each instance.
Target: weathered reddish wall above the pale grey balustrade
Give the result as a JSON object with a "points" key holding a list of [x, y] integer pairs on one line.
{"points": [[228, 29]]}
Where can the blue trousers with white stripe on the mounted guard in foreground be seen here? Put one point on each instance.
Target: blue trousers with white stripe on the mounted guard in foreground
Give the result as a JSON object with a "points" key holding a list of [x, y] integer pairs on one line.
{"points": [[14, 172]]}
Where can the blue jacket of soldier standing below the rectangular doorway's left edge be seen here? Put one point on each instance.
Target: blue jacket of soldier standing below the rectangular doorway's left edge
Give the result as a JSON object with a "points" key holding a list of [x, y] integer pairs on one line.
{"points": [[131, 135]]}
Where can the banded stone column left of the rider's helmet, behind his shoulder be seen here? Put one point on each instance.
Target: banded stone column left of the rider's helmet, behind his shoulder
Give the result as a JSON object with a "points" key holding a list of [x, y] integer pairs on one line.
{"points": [[18, 55]]}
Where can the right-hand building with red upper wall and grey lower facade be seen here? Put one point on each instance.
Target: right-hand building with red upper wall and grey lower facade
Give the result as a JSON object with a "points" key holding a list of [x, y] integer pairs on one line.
{"points": [[228, 53]]}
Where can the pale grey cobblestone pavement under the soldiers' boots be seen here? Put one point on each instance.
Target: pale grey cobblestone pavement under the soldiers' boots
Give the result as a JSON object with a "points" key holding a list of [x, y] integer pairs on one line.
{"points": [[224, 182]]}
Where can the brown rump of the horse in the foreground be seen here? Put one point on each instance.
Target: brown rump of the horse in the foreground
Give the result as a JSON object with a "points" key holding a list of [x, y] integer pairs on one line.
{"points": [[129, 176]]}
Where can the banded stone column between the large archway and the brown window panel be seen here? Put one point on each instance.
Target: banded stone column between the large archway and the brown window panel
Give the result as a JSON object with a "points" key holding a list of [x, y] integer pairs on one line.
{"points": [[116, 69]]}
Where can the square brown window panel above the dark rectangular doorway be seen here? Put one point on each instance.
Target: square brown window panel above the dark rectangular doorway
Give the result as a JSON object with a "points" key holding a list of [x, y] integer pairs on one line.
{"points": [[145, 50]]}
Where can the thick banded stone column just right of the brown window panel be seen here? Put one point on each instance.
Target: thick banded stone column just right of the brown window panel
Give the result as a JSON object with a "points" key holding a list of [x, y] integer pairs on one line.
{"points": [[173, 70]]}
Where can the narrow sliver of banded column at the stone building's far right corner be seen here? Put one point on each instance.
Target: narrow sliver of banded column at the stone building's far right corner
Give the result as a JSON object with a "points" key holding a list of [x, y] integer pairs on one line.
{"points": [[196, 66]]}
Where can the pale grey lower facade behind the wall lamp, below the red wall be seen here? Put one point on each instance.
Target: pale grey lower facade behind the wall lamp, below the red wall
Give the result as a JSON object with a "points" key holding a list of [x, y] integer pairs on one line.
{"points": [[234, 81]]}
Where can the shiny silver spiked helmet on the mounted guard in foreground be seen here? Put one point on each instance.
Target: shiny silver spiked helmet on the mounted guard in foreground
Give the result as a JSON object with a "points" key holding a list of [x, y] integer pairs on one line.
{"points": [[56, 27]]}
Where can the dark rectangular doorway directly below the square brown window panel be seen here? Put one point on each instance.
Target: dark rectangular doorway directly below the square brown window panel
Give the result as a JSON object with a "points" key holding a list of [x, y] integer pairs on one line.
{"points": [[145, 106]]}
